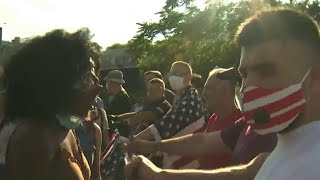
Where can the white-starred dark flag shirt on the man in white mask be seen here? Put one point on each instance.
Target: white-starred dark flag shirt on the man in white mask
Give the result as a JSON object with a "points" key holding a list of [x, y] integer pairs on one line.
{"points": [[185, 117]]}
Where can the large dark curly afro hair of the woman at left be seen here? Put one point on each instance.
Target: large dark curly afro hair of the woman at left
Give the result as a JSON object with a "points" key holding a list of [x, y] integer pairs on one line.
{"points": [[41, 76]]}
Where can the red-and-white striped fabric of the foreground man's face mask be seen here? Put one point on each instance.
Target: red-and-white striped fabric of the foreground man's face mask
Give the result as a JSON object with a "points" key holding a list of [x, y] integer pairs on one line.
{"points": [[281, 102]]}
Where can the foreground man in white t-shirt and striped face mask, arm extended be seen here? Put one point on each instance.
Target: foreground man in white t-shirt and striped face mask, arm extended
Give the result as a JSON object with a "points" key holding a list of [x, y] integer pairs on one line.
{"points": [[280, 93]]}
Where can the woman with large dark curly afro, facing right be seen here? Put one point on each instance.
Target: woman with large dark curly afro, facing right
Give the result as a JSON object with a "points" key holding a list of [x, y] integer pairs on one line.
{"points": [[50, 87]]}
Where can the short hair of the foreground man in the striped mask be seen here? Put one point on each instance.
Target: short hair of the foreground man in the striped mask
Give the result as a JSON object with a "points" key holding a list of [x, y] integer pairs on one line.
{"points": [[278, 24]]}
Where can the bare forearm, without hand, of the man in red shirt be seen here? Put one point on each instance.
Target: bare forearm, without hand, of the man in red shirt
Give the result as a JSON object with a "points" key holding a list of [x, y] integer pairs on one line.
{"points": [[193, 145]]}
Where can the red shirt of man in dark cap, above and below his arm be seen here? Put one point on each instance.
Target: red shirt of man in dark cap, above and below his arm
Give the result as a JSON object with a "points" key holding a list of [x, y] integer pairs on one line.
{"points": [[216, 161]]}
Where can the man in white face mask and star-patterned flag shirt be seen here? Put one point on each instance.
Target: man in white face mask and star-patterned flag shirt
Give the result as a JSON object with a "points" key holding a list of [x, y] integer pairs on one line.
{"points": [[186, 115]]}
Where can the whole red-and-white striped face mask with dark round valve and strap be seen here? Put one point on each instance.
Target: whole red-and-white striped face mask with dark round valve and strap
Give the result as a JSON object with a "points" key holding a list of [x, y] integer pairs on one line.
{"points": [[270, 110]]}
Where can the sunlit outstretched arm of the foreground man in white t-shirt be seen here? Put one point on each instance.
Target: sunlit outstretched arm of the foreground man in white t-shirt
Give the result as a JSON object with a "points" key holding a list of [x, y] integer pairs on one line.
{"points": [[146, 170]]}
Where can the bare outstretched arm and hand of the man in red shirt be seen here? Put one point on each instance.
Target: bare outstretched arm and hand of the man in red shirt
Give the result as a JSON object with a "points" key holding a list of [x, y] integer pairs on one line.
{"points": [[185, 146]]}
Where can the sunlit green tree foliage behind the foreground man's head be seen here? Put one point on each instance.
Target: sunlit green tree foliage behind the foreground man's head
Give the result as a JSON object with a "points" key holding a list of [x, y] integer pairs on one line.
{"points": [[202, 37]]}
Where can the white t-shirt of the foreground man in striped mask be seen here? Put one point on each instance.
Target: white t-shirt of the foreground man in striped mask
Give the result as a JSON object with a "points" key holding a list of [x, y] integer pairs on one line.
{"points": [[296, 156]]}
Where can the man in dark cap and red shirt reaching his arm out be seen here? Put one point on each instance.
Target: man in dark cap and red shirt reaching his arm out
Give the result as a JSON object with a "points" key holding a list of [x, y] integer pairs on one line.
{"points": [[240, 143]]}
